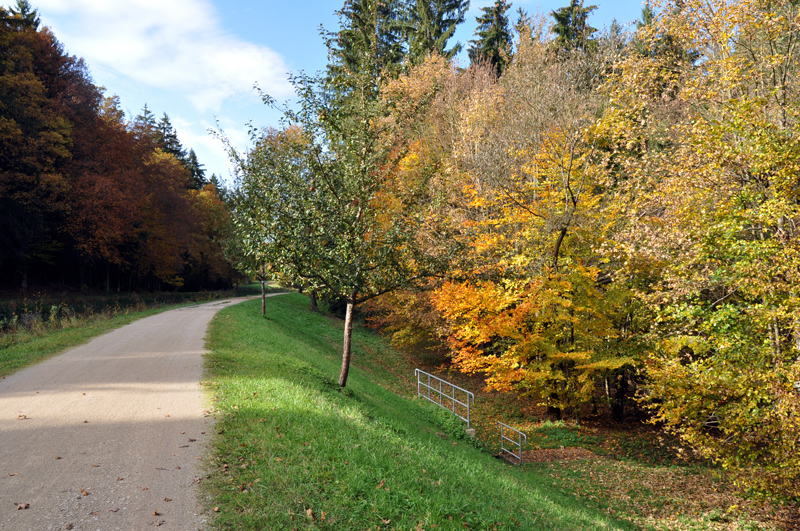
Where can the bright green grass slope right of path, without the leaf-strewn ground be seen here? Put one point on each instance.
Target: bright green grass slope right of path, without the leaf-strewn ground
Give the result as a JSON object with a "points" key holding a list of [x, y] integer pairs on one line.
{"points": [[293, 452]]}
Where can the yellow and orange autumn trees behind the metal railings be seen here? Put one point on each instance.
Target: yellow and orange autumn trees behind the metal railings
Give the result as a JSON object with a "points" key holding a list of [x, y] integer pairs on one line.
{"points": [[627, 214]]}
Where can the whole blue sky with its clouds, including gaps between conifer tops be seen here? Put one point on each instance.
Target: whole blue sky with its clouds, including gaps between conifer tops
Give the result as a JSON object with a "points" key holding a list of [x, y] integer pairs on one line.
{"points": [[197, 60]]}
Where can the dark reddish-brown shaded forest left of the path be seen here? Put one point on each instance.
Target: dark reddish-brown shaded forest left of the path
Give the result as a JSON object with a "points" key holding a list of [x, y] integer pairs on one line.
{"points": [[88, 199]]}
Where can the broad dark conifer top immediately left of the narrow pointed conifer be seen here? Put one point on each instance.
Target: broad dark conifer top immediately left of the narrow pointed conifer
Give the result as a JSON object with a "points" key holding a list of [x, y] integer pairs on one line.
{"points": [[430, 24]]}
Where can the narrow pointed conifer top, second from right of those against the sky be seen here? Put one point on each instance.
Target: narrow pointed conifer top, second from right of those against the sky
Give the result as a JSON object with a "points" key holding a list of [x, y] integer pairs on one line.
{"points": [[494, 42]]}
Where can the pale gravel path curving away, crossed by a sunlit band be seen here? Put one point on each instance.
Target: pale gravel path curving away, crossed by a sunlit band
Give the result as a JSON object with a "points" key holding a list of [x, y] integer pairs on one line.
{"points": [[108, 435]]}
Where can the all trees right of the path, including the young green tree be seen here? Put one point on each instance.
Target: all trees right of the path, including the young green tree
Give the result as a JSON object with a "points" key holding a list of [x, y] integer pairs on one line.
{"points": [[594, 219]]}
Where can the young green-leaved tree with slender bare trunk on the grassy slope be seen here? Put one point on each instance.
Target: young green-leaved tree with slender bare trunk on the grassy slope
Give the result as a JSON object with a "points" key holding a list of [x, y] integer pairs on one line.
{"points": [[317, 198]]}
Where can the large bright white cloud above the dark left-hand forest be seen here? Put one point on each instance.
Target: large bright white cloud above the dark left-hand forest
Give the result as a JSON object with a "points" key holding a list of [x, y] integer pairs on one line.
{"points": [[177, 46]]}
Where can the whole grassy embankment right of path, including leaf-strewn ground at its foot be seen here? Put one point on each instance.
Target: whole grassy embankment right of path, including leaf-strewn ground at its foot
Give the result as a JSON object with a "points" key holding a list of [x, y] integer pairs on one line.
{"points": [[293, 452]]}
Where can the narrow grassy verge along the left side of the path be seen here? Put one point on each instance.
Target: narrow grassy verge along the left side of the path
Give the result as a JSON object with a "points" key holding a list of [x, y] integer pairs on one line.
{"points": [[34, 329]]}
